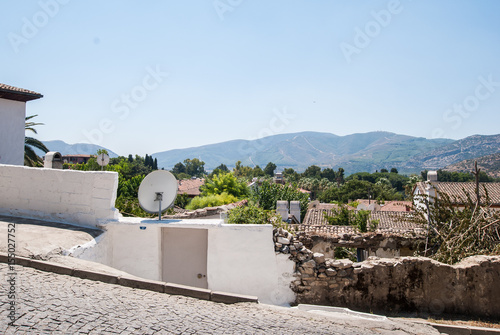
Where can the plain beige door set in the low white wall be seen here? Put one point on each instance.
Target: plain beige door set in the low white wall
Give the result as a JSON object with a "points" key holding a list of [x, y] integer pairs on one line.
{"points": [[184, 254]]}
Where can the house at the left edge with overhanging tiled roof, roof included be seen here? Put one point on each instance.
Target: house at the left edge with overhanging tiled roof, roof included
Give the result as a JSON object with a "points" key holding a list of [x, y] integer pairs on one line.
{"points": [[12, 120]]}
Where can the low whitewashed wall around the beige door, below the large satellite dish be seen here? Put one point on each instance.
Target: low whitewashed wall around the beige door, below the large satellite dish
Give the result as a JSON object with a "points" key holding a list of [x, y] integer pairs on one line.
{"points": [[240, 258]]}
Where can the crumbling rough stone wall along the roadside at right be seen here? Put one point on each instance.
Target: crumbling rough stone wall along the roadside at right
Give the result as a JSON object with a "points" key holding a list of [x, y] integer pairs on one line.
{"points": [[406, 284]]}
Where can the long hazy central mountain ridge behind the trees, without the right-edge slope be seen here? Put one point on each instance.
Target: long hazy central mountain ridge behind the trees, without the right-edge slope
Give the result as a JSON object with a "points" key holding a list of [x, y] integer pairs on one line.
{"points": [[357, 152]]}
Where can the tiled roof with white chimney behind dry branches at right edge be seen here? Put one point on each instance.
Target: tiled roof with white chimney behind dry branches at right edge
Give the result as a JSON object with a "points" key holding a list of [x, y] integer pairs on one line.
{"points": [[457, 191]]}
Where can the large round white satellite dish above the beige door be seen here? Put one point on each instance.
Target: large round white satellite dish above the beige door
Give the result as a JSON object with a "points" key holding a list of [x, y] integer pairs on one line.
{"points": [[157, 192]]}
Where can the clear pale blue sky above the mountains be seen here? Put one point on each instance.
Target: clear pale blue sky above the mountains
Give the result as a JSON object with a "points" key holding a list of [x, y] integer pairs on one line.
{"points": [[421, 68]]}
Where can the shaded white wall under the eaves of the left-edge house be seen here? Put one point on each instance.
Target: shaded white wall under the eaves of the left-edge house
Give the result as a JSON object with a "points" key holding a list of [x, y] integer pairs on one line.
{"points": [[12, 118]]}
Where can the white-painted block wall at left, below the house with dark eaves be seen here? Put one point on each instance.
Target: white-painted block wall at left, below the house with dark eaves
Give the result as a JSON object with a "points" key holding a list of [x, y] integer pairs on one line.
{"points": [[78, 197]]}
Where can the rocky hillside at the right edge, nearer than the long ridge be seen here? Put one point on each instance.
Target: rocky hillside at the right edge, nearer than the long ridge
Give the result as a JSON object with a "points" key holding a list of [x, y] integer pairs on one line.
{"points": [[465, 149]]}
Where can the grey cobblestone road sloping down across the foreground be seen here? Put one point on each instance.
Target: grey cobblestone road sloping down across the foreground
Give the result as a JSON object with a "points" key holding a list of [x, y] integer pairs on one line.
{"points": [[48, 303]]}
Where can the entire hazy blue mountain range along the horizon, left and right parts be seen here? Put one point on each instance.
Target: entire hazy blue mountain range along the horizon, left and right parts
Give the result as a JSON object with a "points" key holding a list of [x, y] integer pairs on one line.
{"points": [[354, 153]]}
